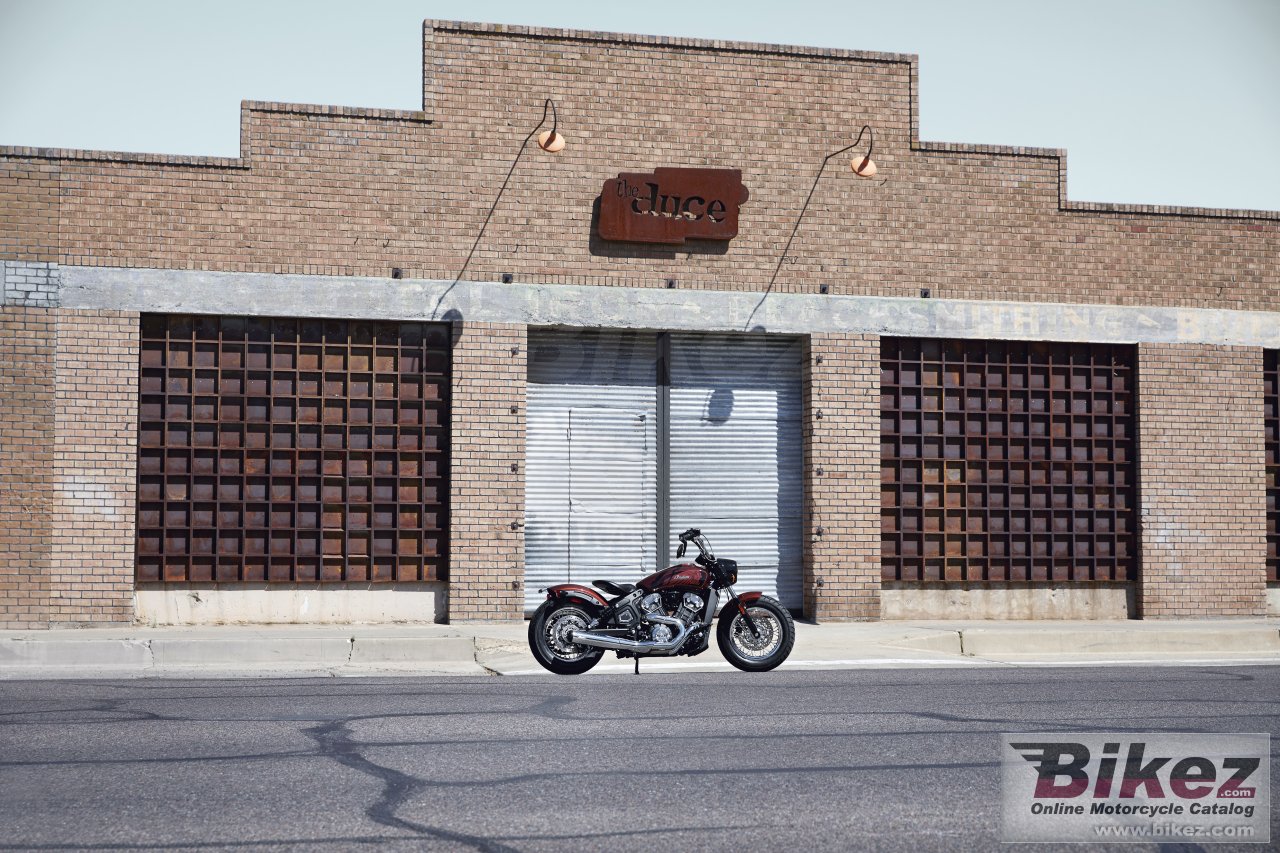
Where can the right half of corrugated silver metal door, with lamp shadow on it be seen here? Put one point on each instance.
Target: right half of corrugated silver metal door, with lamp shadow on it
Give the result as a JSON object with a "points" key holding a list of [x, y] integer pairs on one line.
{"points": [[737, 454]]}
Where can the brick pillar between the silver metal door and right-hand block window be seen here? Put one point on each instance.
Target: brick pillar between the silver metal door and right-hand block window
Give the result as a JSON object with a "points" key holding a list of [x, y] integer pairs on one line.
{"points": [[842, 462]]}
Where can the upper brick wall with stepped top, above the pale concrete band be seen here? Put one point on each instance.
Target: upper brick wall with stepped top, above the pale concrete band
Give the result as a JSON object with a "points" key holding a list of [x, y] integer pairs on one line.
{"points": [[345, 191]]}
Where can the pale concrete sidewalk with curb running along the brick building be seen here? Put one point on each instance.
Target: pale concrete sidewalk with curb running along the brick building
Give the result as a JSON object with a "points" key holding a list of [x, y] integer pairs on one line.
{"points": [[501, 649]]}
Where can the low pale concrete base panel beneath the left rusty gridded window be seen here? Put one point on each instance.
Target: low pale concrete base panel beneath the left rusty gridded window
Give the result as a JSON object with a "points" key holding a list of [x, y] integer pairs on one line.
{"points": [[290, 605]]}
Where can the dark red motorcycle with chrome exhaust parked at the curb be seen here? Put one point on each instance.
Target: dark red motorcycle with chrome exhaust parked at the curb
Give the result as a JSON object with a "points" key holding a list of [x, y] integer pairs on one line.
{"points": [[668, 614]]}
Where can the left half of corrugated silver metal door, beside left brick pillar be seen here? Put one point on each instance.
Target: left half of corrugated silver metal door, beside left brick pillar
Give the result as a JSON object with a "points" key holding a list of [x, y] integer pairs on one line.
{"points": [[592, 466]]}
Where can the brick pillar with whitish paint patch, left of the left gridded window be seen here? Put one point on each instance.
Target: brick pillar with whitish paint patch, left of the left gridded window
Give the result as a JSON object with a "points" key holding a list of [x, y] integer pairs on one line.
{"points": [[95, 409]]}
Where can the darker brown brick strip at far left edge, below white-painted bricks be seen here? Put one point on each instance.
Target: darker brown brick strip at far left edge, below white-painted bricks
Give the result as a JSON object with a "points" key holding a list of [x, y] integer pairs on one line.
{"points": [[28, 339]]}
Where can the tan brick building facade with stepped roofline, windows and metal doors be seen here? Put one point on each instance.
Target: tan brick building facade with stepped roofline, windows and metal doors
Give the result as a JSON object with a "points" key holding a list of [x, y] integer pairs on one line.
{"points": [[1078, 418]]}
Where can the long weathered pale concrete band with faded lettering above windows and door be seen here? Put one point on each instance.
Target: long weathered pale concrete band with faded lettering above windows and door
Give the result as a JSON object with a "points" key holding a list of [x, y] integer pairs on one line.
{"points": [[575, 305]]}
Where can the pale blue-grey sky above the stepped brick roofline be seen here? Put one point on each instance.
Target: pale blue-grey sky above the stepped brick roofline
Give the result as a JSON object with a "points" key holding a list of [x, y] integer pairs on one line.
{"points": [[1158, 102]]}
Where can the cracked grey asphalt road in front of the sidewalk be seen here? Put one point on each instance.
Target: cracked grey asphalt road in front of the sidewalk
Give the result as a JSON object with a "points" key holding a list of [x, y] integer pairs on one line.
{"points": [[833, 760]]}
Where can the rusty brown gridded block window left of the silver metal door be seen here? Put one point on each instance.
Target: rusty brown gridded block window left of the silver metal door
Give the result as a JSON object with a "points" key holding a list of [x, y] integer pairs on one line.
{"points": [[257, 450]]}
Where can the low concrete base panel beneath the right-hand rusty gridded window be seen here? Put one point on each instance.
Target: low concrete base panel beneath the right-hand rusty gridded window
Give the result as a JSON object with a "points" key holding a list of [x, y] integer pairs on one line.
{"points": [[1004, 601]]}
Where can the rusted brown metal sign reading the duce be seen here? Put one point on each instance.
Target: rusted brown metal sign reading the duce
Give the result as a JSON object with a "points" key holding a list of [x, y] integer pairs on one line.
{"points": [[671, 206]]}
